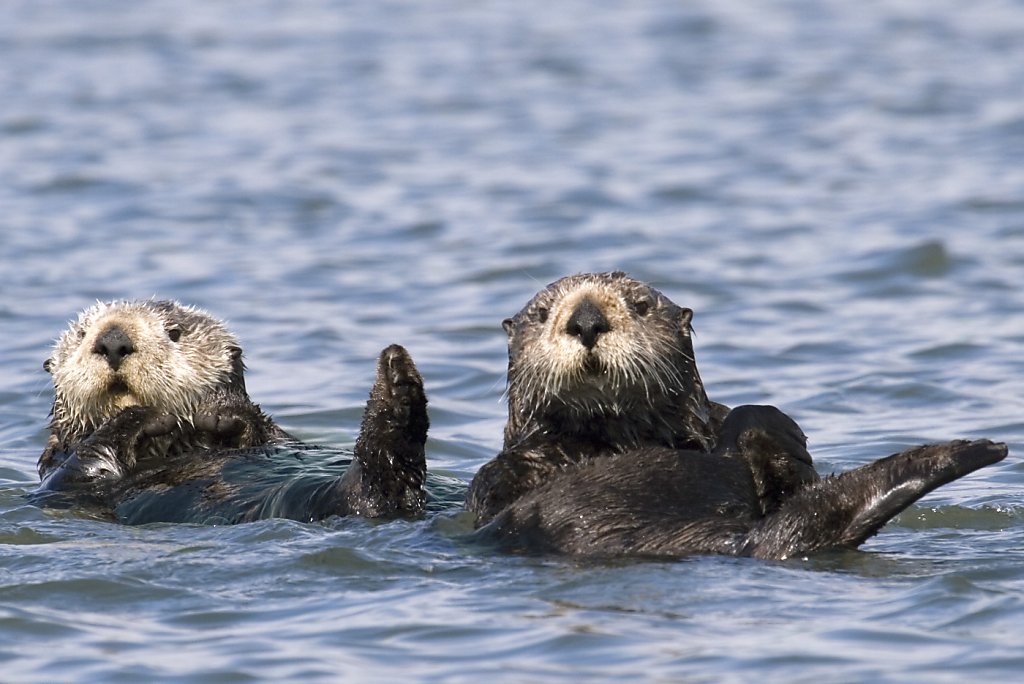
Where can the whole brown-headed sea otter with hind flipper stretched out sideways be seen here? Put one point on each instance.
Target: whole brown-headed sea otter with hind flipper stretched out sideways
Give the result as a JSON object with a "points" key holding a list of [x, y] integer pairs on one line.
{"points": [[613, 448]]}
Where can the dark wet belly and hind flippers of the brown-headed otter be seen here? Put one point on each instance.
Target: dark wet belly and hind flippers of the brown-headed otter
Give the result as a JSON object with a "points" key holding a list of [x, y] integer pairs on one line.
{"points": [[662, 502]]}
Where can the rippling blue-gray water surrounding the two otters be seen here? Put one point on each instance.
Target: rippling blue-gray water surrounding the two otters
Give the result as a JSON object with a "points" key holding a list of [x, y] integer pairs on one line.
{"points": [[837, 189]]}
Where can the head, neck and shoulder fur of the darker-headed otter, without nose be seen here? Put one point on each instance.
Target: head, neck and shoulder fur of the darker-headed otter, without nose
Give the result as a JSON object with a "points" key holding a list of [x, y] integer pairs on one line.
{"points": [[637, 387]]}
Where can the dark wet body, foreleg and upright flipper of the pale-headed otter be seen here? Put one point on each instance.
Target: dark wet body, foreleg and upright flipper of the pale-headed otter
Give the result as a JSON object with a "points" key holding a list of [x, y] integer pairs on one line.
{"points": [[386, 478]]}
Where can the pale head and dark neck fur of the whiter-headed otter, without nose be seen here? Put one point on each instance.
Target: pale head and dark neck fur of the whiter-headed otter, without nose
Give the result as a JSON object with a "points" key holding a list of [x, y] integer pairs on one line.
{"points": [[186, 366]]}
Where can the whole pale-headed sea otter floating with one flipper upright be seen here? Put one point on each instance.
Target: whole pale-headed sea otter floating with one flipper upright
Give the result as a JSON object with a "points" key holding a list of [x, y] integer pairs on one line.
{"points": [[152, 422]]}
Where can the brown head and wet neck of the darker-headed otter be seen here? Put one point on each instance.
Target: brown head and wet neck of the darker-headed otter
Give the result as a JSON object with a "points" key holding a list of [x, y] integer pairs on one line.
{"points": [[607, 358]]}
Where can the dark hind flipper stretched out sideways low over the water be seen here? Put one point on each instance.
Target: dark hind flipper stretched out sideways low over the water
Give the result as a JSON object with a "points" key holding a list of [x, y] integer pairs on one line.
{"points": [[843, 511]]}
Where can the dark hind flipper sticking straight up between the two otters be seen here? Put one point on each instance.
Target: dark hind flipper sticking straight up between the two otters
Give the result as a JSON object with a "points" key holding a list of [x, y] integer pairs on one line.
{"points": [[389, 473]]}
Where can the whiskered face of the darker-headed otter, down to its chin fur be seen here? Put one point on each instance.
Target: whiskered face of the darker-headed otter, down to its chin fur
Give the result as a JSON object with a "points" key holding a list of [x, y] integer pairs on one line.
{"points": [[600, 345]]}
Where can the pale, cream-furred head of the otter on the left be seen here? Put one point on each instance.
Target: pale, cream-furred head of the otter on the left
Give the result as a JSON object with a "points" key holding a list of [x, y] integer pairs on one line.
{"points": [[126, 354]]}
